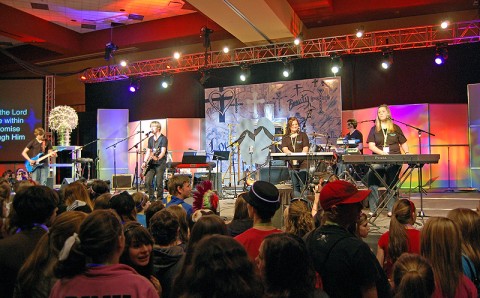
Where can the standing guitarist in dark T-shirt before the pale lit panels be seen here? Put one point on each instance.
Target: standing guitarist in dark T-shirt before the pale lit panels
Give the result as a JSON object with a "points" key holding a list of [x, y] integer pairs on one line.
{"points": [[155, 160]]}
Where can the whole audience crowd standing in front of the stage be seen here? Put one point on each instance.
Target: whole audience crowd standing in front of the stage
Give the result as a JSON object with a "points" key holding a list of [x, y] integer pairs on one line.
{"points": [[65, 244]]}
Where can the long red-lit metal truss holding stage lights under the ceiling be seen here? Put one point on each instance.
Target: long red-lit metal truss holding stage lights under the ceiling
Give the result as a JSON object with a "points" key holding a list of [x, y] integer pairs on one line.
{"points": [[395, 39]]}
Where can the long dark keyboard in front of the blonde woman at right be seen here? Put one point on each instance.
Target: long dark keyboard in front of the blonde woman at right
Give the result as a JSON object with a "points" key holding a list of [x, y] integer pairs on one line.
{"points": [[392, 159]]}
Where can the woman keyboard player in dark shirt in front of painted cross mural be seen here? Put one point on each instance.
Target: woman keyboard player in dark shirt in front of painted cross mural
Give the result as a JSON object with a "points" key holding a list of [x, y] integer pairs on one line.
{"points": [[296, 141]]}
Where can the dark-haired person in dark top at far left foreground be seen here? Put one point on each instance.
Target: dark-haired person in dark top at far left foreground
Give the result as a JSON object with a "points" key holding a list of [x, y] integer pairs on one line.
{"points": [[34, 209]]}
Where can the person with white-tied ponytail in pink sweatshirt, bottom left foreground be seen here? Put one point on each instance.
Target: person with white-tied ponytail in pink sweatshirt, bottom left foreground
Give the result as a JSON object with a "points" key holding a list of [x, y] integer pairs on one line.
{"points": [[89, 262]]}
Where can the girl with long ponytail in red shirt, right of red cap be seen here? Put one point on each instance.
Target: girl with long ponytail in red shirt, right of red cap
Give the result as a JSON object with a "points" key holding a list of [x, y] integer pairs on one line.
{"points": [[400, 238]]}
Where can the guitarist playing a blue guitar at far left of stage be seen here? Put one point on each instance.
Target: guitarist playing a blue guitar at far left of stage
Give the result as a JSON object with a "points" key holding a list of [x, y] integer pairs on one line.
{"points": [[34, 147]]}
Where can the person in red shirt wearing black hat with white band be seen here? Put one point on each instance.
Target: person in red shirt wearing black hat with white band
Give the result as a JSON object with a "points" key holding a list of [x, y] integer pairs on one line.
{"points": [[263, 201]]}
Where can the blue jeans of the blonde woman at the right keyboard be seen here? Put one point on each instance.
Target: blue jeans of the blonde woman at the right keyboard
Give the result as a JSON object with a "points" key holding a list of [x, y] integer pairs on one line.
{"points": [[390, 174]]}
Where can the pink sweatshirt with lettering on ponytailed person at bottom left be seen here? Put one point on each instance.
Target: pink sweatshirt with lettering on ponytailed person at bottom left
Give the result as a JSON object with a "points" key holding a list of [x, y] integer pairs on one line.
{"points": [[105, 281]]}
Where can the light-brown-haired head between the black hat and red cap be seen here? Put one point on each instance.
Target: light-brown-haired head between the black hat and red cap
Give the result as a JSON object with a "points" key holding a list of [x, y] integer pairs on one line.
{"points": [[298, 218]]}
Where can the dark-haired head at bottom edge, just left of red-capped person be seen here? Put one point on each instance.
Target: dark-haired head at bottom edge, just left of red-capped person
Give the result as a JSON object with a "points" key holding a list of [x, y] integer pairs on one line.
{"points": [[286, 267]]}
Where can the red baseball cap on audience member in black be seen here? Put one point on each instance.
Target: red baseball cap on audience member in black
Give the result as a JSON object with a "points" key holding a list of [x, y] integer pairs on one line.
{"points": [[341, 192]]}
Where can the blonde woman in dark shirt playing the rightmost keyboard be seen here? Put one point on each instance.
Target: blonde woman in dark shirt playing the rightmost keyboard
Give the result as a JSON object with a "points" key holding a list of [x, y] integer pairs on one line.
{"points": [[384, 138]]}
